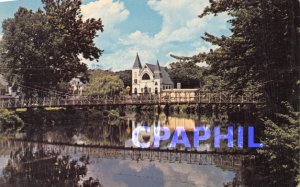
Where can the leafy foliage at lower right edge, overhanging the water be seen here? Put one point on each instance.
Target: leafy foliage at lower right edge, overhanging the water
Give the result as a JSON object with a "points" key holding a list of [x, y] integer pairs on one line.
{"points": [[282, 141]]}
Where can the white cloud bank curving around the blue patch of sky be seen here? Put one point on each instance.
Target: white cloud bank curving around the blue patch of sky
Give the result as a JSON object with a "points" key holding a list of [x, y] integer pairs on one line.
{"points": [[180, 32]]}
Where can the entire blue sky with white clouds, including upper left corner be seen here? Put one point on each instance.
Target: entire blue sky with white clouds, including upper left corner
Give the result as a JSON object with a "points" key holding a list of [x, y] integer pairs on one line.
{"points": [[152, 28]]}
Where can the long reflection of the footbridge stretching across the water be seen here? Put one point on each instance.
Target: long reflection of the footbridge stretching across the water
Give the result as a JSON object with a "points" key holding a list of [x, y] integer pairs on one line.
{"points": [[229, 160]]}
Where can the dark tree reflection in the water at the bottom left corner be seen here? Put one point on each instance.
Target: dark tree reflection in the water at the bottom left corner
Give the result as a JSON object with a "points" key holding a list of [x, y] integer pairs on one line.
{"points": [[32, 167]]}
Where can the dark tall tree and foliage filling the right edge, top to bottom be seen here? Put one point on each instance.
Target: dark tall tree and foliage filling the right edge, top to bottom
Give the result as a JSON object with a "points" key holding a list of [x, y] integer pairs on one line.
{"points": [[262, 55]]}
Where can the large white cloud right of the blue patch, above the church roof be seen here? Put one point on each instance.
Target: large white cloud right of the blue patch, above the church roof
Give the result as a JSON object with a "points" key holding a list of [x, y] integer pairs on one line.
{"points": [[180, 24]]}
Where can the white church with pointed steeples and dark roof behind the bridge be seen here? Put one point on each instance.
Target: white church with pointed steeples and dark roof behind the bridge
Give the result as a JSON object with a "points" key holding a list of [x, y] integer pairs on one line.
{"points": [[149, 78]]}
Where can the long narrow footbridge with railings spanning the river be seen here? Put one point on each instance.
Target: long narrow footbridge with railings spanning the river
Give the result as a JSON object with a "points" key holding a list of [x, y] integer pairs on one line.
{"points": [[201, 98]]}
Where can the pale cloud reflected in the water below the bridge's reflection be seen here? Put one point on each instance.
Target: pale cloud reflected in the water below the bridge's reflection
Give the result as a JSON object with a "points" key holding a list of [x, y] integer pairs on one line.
{"points": [[182, 174]]}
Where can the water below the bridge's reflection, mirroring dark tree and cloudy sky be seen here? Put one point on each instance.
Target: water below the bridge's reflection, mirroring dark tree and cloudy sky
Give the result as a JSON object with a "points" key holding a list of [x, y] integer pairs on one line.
{"points": [[31, 164]]}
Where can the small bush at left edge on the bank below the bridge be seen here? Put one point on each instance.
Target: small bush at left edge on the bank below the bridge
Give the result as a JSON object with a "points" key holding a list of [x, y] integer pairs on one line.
{"points": [[10, 121]]}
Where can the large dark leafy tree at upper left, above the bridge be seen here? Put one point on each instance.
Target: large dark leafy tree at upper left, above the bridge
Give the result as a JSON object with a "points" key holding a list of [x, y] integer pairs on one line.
{"points": [[41, 49]]}
